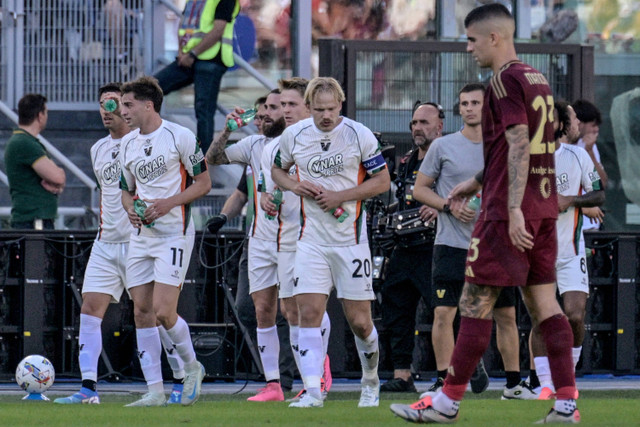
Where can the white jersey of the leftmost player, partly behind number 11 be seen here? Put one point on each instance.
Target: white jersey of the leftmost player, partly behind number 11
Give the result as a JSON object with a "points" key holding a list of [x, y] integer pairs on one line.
{"points": [[114, 222]]}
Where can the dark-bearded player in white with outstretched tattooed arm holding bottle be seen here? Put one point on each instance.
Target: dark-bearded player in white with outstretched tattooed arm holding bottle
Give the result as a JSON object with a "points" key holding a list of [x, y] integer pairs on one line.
{"points": [[263, 244]]}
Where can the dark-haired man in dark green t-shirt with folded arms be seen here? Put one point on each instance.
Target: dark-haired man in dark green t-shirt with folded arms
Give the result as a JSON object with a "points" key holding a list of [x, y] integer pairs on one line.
{"points": [[34, 180]]}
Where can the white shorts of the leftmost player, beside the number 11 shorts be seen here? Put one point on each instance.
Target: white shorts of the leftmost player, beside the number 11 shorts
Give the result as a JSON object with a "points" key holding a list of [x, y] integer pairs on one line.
{"points": [[106, 269]]}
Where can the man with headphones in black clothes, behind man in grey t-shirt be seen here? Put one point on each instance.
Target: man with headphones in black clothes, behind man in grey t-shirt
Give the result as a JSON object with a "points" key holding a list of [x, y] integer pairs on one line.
{"points": [[409, 274]]}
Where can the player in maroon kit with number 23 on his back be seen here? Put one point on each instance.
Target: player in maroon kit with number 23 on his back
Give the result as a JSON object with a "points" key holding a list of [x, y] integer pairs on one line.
{"points": [[514, 240]]}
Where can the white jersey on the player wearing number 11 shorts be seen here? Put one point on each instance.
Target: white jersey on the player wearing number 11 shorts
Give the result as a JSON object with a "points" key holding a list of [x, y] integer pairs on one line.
{"points": [[160, 165]]}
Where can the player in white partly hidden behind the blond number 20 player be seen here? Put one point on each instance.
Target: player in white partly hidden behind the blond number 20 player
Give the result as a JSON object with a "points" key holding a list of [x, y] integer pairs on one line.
{"points": [[294, 109]]}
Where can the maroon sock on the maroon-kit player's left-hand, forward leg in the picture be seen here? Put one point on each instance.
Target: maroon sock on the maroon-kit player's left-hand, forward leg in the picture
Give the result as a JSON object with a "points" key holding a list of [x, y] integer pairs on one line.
{"points": [[473, 339]]}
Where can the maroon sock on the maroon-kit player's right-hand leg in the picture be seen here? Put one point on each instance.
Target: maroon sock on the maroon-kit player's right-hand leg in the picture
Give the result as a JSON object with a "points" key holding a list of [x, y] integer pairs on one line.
{"points": [[558, 339]]}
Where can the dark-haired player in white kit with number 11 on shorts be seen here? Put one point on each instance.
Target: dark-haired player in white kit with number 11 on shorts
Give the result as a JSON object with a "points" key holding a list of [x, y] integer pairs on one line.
{"points": [[163, 165]]}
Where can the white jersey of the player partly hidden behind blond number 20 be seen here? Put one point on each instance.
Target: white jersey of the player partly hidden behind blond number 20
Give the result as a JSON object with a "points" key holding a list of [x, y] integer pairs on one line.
{"points": [[288, 218]]}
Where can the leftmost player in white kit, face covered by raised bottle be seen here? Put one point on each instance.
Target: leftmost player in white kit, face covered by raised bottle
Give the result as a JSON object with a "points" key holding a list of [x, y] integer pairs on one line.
{"points": [[105, 273]]}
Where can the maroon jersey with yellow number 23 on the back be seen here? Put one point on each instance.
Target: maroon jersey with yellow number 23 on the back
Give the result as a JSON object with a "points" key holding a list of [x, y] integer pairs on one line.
{"points": [[518, 94]]}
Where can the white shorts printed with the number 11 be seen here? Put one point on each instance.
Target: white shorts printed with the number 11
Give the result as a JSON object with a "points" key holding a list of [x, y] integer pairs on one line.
{"points": [[158, 259]]}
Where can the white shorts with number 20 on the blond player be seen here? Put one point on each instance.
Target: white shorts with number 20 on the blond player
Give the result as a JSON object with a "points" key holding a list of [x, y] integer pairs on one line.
{"points": [[347, 268]]}
